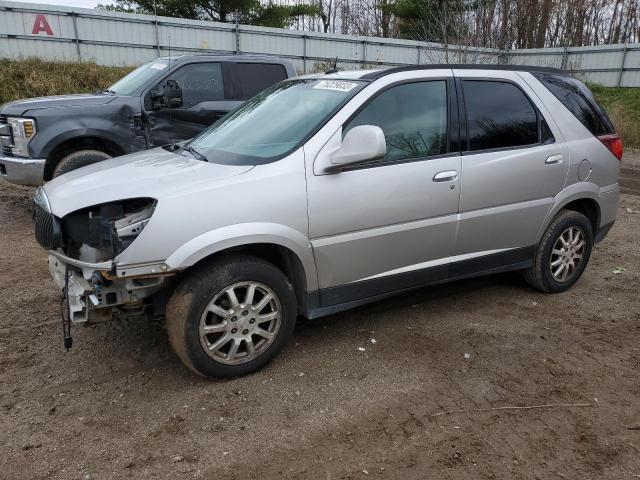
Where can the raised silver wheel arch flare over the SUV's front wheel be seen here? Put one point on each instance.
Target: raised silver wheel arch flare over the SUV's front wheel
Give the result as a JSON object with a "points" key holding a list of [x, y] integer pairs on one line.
{"points": [[246, 234]]}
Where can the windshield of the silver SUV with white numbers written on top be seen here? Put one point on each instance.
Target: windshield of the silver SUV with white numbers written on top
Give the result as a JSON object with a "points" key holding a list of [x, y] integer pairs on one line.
{"points": [[275, 122]]}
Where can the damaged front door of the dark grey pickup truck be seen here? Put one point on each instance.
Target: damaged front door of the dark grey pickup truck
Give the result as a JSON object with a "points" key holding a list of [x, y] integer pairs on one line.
{"points": [[203, 103]]}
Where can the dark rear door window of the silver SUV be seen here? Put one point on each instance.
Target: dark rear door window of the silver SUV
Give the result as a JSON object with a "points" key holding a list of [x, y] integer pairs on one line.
{"points": [[499, 115]]}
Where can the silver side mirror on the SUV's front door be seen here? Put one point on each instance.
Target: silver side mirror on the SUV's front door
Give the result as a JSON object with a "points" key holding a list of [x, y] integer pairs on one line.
{"points": [[363, 143]]}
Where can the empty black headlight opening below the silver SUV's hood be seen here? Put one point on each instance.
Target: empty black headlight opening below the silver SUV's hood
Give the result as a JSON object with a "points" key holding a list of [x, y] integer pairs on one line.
{"points": [[109, 228]]}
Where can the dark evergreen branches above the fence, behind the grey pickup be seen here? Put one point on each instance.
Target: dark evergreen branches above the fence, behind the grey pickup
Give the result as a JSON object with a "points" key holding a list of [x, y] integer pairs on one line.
{"points": [[251, 12]]}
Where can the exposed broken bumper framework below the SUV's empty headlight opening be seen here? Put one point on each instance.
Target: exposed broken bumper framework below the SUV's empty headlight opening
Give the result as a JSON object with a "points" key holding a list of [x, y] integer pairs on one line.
{"points": [[95, 289]]}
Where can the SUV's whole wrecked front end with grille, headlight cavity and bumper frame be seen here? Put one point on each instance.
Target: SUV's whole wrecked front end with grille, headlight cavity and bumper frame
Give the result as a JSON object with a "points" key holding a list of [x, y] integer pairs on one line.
{"points": [[83, 248]]}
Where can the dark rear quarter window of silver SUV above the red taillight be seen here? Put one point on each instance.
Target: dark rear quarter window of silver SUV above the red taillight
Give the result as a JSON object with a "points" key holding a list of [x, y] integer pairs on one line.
{"points": [[579, 100]]}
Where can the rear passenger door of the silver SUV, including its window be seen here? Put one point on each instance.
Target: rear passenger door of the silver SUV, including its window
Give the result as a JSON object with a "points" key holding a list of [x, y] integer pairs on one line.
{"points": [[514, 162]]}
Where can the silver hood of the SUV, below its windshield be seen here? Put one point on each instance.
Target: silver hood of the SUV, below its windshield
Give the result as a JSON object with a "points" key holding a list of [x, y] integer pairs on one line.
{"points": [[155, 173]]}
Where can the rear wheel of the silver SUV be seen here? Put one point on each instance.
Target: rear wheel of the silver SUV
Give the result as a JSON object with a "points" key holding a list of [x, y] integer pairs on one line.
{"points": [[563, 253]]}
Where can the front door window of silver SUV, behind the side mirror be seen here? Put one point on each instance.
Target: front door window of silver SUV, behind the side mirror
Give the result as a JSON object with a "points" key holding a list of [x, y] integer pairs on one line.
{"points": [[413, 117]]}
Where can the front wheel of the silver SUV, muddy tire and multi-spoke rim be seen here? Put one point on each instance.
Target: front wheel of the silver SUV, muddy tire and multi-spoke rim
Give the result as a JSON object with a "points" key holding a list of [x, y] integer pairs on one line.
{"points": [[231, 317]]}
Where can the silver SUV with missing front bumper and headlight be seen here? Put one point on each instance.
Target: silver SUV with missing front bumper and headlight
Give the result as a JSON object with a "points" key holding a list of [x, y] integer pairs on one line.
{"points": [[326, 192]]}
